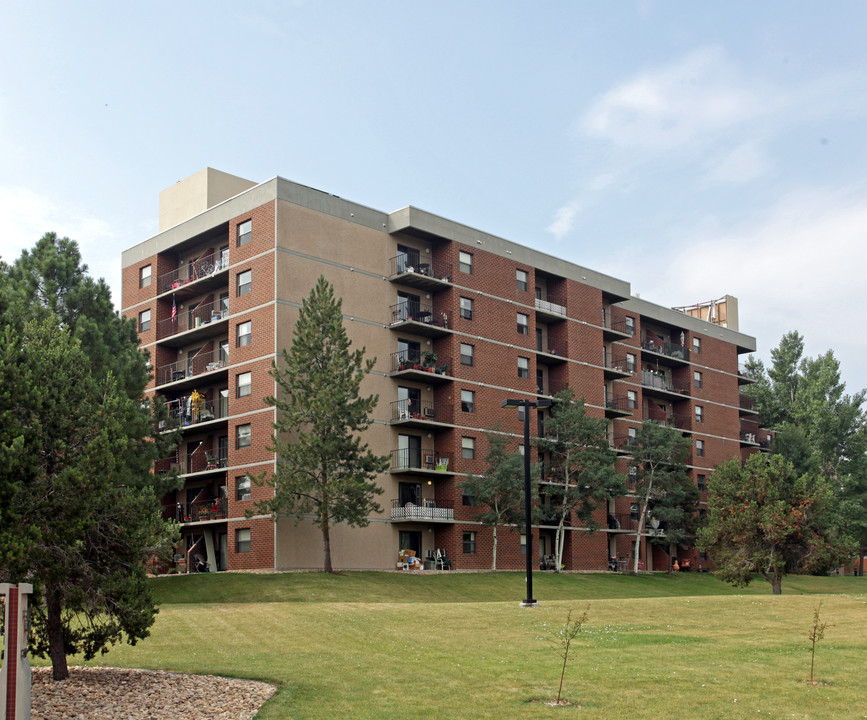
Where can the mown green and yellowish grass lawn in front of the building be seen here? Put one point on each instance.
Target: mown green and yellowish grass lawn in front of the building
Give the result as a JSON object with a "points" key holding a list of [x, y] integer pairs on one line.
{"points": [[389, 645]]}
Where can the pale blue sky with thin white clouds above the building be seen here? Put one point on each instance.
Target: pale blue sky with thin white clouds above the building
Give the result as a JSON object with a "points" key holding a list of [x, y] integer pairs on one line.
{"points": [[693, 149]]}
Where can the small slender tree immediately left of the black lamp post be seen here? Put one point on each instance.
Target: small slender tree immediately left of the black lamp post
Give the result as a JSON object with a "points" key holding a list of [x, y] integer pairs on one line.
{"points": [[500, 491]]}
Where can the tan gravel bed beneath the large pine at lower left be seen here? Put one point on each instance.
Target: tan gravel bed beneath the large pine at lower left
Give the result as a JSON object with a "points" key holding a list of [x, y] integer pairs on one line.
{"points": [[95, 693]]}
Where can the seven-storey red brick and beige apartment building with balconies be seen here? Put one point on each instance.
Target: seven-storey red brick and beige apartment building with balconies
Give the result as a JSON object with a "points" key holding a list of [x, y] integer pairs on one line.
{"points": [[457, 319]]}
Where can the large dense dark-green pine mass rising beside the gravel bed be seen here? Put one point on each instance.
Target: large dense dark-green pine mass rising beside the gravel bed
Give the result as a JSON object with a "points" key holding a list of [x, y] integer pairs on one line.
{"points": [[79, 509]]}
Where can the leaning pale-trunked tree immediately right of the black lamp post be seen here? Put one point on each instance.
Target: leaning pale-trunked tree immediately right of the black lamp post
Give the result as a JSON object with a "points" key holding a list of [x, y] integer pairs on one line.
{"points": [[579, 471]]}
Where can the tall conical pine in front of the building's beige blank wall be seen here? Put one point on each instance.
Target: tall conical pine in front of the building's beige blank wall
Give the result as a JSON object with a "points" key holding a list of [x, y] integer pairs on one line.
{"points": [[323, 470]]}
